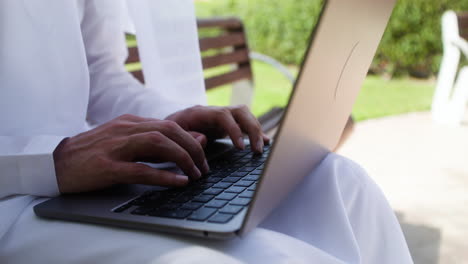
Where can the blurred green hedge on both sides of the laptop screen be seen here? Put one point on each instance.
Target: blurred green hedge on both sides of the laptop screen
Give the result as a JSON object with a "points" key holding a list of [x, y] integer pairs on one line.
{"points": [[280, 28]]}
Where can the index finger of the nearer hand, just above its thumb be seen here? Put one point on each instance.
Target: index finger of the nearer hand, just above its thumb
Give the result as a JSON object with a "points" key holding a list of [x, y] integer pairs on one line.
{"points": [[150, 146]]}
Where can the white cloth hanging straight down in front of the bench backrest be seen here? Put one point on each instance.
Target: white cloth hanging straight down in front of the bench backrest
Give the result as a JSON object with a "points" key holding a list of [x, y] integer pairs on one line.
{"points": [[168, 44]]}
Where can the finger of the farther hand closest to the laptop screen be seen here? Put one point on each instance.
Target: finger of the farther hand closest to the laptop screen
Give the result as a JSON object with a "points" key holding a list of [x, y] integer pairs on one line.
{"points": [[250, 126]]}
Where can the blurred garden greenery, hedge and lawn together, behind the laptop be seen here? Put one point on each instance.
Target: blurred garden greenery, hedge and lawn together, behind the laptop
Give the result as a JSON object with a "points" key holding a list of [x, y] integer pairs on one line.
{"points": [[402, 75]]}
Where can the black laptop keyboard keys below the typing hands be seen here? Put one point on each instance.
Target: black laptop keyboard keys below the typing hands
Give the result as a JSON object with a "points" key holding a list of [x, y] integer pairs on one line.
{"points": [[216, 198]]}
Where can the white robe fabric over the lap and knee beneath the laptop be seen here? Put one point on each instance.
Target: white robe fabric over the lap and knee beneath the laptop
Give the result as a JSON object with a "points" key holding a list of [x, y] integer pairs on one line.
{"points": [[336, 215]]}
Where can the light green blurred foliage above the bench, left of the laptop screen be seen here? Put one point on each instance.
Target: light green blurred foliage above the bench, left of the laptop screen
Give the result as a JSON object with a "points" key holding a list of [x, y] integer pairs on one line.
{"points": [[277, 28]]}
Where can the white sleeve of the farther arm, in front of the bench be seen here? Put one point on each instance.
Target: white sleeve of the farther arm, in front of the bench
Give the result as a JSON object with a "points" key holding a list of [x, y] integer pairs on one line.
{"points": [[114, 91]]}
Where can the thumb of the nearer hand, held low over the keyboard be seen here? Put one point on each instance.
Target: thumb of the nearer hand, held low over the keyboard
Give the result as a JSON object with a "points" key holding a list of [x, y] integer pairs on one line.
{"points": [[137, 173]]}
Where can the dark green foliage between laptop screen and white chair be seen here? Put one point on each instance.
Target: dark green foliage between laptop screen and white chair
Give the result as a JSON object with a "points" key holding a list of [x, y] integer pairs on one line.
{"points": [[412, 42]]}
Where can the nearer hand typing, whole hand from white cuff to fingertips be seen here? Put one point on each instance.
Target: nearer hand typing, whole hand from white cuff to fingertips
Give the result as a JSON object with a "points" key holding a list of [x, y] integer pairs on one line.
{"points": [[108, 155]]}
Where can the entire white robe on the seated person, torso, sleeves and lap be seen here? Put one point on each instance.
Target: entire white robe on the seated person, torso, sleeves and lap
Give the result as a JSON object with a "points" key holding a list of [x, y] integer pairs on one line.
{"points": [[62, 66]]}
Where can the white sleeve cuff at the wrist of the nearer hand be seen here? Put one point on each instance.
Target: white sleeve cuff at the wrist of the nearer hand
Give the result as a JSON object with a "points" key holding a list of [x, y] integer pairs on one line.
{"points": [[28, 166]]}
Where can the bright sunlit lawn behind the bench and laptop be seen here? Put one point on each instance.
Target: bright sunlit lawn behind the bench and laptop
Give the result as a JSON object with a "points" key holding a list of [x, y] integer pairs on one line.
{"points": [[378, 97]]}
